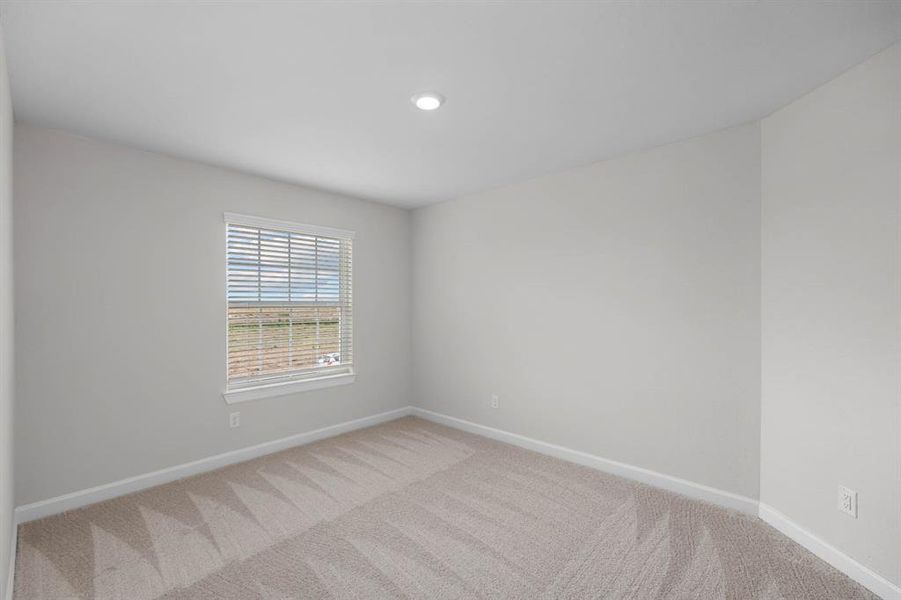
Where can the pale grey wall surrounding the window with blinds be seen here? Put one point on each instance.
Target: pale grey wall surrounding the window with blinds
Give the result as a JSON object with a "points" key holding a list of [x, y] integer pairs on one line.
{"points": [[121, 311]]}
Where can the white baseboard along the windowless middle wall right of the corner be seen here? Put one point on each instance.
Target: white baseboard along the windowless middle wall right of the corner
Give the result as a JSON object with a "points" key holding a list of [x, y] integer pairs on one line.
{"points": [[668, 482]]}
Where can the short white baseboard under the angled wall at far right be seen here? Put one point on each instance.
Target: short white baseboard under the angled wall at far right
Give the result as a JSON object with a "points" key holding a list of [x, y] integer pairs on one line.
{"points": [[866, 577]]}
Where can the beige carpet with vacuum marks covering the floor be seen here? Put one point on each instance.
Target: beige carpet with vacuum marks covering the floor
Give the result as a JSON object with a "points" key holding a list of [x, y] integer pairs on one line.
{"points": [[411, 509]]}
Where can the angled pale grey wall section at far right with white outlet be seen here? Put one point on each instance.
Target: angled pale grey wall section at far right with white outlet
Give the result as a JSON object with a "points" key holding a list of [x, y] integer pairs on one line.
{"points": [[831, 302]]}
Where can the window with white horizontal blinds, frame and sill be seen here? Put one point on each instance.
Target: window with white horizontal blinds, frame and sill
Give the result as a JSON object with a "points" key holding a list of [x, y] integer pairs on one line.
{"points": [[290, 317]]}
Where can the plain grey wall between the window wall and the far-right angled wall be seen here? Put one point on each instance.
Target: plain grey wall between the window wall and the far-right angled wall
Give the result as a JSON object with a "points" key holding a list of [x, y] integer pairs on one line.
{"points": [[614, 309]]}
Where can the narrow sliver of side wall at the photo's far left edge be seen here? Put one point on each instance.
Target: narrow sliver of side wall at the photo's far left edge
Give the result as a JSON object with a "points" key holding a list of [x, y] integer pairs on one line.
{"points": [[7, 529]]}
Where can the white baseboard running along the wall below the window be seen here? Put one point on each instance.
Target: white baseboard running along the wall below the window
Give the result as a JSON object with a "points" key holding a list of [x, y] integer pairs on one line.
{"points": [[52, 506]]}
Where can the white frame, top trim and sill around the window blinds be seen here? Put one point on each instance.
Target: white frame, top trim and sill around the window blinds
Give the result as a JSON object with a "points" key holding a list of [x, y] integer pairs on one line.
{"points": [[289, 384]]}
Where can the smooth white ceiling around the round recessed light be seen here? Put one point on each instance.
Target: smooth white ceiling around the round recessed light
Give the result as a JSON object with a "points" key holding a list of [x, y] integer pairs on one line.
{"points": [[318, 93]]}
